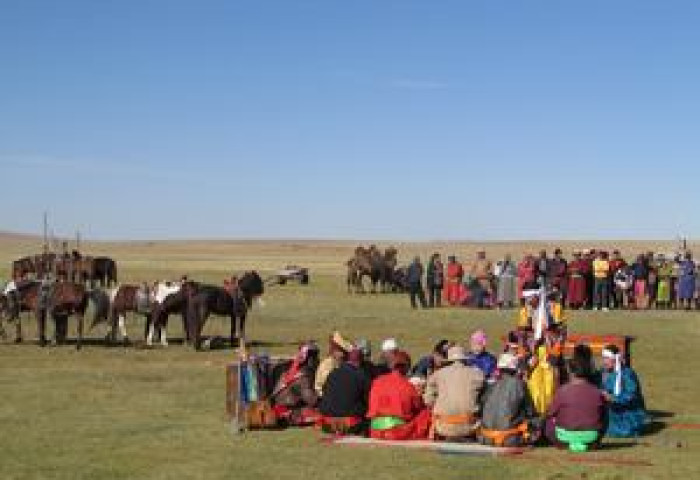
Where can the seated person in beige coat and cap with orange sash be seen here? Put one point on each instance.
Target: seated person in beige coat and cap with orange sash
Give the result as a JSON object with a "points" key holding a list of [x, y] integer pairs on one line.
{"points": [[453, 393]]}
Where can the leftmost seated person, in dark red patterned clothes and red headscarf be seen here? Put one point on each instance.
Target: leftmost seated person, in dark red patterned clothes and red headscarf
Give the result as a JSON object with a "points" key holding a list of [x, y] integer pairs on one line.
{"points": [[294, 399]]}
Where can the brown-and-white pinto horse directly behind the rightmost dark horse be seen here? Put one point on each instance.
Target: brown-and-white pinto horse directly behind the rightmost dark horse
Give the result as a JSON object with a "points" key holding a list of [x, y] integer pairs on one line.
{"points": [[168, 298]]}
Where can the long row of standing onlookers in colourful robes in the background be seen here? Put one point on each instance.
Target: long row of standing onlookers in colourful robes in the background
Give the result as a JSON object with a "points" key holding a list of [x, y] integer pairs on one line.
{"points": [[591, 279]]}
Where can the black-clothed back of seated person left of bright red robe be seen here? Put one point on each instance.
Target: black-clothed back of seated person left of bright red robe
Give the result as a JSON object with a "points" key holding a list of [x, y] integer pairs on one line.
{"points": [[345, 392]]}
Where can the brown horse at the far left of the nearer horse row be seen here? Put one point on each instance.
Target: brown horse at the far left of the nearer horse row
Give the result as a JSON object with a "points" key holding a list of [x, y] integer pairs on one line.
{"points": [[58, 300]]}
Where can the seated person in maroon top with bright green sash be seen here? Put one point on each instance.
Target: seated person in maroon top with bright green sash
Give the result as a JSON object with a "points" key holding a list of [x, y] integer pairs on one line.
{"points": [[576, 416]]}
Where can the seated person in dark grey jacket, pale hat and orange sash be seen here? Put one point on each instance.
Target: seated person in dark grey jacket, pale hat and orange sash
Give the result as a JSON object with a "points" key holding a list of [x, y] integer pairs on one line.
{"points": [[508, 417]]}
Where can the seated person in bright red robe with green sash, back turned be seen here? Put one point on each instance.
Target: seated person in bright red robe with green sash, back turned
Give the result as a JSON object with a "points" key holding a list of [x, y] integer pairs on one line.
{"points": [[396, 409]]}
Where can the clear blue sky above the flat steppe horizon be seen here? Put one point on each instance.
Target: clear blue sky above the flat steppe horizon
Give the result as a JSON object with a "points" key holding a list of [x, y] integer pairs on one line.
{"points": [[371, 119]]}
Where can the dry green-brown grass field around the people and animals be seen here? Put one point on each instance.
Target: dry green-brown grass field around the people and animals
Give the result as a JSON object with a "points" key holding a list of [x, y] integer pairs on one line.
{"points": [[132, 413]]}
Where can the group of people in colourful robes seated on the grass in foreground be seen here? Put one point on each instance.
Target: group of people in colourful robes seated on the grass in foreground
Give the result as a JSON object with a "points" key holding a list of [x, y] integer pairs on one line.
{"points": [[527, 395]]}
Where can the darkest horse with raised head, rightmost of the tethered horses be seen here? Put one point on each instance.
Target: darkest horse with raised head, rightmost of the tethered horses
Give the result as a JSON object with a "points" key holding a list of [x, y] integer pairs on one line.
{"points": [[217, 300]]}
